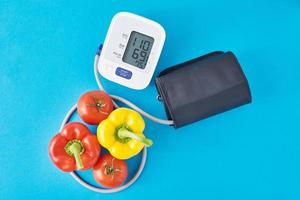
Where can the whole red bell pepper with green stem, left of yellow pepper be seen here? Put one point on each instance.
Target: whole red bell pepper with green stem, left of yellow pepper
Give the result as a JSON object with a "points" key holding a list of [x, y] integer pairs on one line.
{"points": [[75, 147]]}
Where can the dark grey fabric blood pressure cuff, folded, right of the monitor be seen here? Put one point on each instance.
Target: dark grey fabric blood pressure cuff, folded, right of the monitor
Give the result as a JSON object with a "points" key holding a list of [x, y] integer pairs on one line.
{"points": [[202, 87]]}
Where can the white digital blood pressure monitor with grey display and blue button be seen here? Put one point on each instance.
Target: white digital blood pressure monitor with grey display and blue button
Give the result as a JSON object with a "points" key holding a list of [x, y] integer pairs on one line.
{"points": [[131, 50]]}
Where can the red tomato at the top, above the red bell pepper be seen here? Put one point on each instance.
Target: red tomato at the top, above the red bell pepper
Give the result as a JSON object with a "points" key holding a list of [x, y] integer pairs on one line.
{"points": [[94, 106]]}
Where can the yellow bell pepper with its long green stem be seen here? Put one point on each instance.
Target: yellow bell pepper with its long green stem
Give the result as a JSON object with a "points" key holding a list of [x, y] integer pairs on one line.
{"points": [[122, 133]]}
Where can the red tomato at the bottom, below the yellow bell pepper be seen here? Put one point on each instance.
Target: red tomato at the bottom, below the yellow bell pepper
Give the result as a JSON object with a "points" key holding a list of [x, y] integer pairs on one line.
{"points": [[110, 172]]}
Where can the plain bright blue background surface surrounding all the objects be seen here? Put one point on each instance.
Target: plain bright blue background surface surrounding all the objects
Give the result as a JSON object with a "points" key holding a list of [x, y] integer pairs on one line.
{"points": [[252, 152]]}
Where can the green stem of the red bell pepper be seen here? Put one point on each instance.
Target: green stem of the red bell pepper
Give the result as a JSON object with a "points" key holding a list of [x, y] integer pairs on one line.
{"points": [[75, 148]]}
